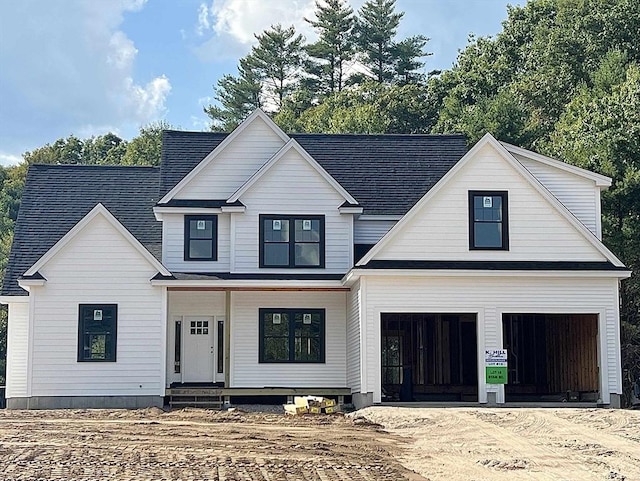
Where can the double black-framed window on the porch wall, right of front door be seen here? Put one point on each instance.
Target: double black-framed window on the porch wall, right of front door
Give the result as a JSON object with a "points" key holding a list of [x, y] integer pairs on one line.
{"points": [[292, 335]]}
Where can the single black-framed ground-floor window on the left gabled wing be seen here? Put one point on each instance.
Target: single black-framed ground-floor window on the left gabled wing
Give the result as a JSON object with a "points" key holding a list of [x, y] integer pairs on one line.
{"points": [[97, 332]]}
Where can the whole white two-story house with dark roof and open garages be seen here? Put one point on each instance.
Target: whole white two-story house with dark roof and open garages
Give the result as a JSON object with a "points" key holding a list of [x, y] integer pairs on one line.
{"points": [[378, 267]]}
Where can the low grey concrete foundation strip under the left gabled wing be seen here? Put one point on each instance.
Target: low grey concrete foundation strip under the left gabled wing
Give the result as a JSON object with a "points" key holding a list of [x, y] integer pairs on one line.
{"points": [[85, 402]]}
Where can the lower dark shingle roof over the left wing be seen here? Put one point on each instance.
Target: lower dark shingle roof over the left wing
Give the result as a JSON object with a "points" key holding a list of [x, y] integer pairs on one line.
{"points": [[56, 197]]}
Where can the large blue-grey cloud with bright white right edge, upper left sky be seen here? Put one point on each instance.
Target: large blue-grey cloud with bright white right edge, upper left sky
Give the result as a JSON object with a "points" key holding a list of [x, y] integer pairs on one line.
{"points": [[68, 67]]}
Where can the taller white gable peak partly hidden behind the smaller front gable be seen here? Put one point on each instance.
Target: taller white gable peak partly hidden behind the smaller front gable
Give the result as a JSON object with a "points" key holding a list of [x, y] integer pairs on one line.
{"points": [[232, 162]]}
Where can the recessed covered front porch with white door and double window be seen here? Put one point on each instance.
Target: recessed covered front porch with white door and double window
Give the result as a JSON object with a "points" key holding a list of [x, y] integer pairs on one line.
{"points": [[227, 343]]}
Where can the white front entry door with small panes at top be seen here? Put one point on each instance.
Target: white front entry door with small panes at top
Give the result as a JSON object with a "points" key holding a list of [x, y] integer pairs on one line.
{"points": [[198, 332]]}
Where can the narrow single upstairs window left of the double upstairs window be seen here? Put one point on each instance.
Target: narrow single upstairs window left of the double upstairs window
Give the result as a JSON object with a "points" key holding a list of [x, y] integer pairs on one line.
{"points": [[200, 237]]}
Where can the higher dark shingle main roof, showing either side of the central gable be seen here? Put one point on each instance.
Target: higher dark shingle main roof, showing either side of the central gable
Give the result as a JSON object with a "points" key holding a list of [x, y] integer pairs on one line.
{"points": [[386, 174]]}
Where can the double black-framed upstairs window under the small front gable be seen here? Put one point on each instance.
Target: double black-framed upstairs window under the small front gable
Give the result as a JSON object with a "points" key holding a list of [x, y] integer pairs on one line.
{"points": [[291, 241]]}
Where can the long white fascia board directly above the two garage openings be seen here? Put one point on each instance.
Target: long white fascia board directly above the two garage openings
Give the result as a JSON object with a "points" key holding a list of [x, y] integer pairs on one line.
{"points": [[355, 274]]}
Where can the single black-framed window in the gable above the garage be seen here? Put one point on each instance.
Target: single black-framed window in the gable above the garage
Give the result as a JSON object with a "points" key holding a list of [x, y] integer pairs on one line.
{"points": [[488, 220]]}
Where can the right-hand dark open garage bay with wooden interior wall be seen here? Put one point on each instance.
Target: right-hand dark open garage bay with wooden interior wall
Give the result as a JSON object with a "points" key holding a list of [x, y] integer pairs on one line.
{"points": [[551, 357]]}
